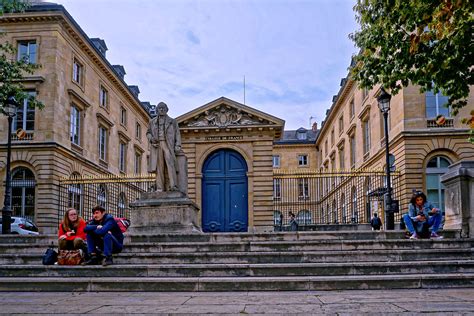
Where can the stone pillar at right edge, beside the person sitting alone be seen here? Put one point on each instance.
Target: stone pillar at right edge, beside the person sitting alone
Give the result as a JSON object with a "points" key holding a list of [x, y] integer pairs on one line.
{"points": [[459, 197]]}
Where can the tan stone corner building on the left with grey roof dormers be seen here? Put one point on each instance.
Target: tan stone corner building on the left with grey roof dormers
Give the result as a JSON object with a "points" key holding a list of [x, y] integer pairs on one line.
{"points": [[93, 122]]}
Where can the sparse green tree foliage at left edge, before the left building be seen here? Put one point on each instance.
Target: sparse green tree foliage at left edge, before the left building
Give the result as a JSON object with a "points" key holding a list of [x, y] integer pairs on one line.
{"points": [[12, 71]]}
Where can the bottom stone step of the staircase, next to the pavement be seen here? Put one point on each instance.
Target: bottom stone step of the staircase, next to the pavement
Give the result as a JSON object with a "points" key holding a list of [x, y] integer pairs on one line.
{"points": [[189, 284]]}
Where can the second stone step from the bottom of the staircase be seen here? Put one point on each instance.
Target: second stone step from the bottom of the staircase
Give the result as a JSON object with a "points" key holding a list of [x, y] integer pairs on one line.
{"points": [[241, 270]]}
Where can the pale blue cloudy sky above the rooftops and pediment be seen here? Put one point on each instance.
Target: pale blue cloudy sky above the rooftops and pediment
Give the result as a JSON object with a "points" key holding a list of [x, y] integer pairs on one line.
{"points": [[186, 53]]}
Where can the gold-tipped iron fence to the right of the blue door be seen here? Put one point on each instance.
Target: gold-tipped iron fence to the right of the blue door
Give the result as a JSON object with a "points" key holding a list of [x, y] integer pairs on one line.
{"points": [[342, 197]]}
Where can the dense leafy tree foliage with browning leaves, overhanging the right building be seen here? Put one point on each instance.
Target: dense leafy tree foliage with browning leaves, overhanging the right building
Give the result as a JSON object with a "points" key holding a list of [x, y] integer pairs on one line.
{"points": [[425, 42]]}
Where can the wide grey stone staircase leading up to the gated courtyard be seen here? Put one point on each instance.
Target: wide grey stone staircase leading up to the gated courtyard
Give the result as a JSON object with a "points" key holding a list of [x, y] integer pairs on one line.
{"points": [[318, 260]]}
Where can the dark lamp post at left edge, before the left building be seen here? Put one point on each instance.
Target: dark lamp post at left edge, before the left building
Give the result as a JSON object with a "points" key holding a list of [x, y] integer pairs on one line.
{"points": [[9, 109]]}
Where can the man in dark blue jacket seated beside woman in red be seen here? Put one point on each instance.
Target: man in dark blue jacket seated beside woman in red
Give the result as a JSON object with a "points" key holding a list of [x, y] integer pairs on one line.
{"points": [[103, 234]]}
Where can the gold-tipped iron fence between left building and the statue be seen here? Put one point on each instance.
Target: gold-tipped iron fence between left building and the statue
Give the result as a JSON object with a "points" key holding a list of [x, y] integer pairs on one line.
{"points": [[113, 192]]}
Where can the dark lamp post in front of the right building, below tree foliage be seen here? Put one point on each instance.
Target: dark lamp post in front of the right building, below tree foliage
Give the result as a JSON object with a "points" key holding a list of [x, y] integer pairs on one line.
{"points": [[384, 106]]}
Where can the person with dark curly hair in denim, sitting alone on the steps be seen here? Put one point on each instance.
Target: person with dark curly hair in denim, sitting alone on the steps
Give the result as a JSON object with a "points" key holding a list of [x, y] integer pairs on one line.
{"points": [[422, 215]]}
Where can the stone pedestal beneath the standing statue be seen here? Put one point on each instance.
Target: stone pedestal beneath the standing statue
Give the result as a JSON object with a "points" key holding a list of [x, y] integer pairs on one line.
{"points": [[164, 212]]}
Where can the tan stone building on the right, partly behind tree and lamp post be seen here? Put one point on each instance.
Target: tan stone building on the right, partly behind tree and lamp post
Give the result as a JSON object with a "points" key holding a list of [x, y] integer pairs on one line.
{"points": [[352, 137]]}
